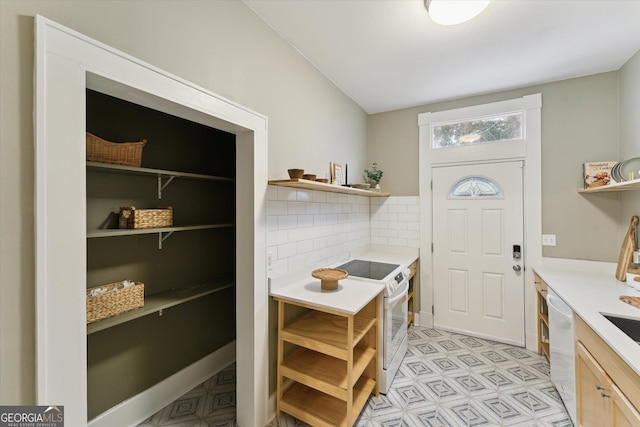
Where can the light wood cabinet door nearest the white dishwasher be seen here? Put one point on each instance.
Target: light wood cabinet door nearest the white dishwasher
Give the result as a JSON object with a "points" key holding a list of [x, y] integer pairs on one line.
{"points": [[591, 381]]}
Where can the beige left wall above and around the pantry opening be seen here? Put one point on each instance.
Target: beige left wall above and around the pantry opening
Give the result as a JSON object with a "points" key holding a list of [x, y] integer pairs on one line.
{"points": [[220, 45]]}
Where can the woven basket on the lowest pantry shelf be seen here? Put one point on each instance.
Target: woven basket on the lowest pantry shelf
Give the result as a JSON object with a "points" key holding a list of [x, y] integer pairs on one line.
{"points": [[116, 300]]}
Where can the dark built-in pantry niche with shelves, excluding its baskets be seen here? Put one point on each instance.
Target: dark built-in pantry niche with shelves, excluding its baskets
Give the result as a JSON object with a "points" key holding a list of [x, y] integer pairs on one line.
{"points": [[190, 276]]}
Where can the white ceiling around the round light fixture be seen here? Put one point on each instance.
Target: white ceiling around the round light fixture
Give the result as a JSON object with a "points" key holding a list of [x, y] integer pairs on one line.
{"points": [[388, 54]]}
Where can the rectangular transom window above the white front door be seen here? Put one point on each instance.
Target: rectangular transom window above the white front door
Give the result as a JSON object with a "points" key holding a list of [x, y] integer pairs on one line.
{"points": [[479, 130]]}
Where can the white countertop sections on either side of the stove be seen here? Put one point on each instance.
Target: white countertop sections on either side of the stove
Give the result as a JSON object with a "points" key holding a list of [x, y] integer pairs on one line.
{"points": [[352, 294]]}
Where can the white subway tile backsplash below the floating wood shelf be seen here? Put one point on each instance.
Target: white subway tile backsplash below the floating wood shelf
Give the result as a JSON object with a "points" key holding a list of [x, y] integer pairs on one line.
{"points": [[309, 228]]}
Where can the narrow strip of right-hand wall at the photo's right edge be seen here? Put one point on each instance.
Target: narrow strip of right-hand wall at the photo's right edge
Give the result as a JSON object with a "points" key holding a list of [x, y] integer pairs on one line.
{"points": [[629, 135]]}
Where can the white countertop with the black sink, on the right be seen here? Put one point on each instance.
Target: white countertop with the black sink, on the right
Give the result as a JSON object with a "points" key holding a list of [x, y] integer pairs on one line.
{"points": [[591, 293]]}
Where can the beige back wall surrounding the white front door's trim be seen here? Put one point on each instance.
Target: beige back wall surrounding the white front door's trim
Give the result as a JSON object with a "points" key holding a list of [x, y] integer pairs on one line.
{"points": [[579, 124]]}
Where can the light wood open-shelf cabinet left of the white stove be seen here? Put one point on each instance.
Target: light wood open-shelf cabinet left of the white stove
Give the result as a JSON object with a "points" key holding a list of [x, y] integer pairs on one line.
{"points": [[327, 363]]}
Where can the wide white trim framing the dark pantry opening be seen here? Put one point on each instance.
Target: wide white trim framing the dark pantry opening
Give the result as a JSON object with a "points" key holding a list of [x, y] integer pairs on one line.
{"points": [[66, 63]]}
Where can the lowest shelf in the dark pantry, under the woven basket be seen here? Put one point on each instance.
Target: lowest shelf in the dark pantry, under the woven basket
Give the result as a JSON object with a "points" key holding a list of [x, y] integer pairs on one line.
{"points": [[158, 302]]}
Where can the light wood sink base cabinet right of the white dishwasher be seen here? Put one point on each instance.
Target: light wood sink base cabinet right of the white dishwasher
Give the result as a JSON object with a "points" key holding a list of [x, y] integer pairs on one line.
{"points": [[608, 391]]}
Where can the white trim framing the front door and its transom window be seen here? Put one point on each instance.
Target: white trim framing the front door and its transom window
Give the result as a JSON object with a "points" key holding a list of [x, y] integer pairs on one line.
{"points": [[531, 154]]}
